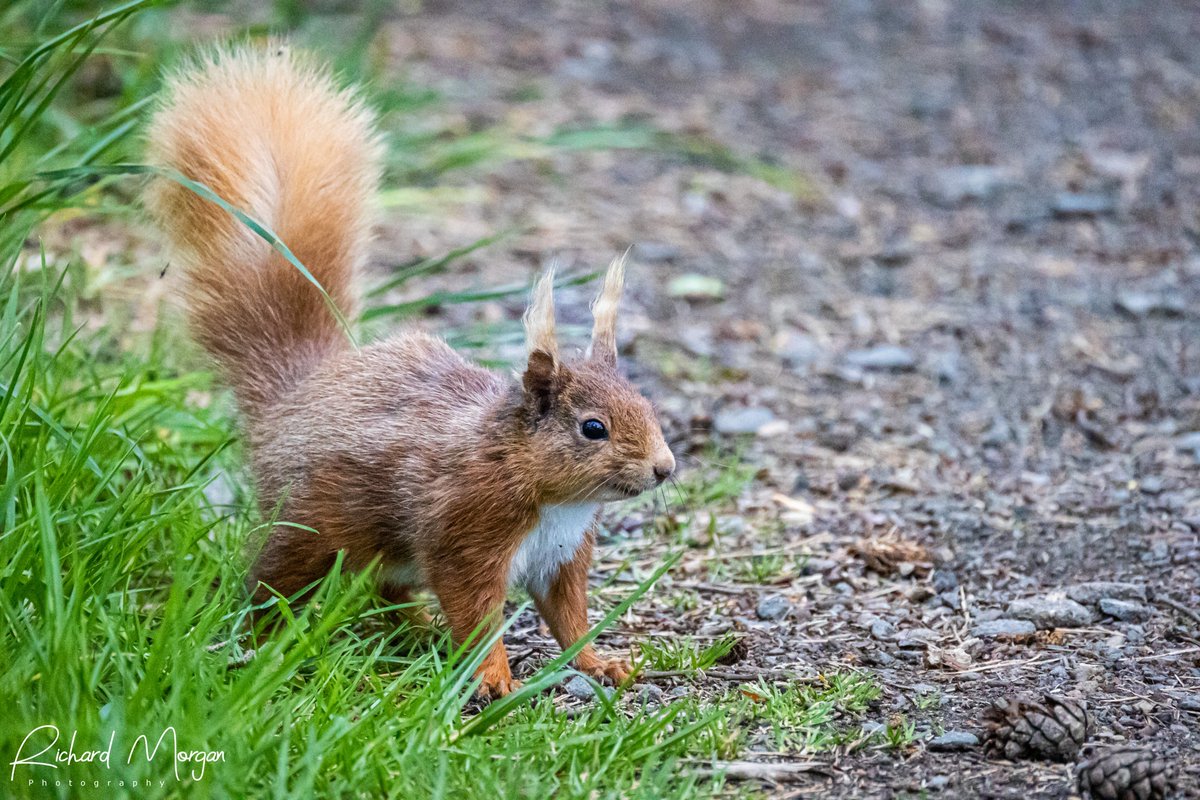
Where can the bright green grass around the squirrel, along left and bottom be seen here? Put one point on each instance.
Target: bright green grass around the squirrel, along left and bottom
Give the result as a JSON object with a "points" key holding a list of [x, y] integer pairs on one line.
{"points": [[125, 520]]}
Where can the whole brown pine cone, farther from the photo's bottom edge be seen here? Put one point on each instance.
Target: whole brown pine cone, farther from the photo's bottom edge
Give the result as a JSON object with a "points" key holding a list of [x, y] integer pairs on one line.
{"points": [[1053, 731]]}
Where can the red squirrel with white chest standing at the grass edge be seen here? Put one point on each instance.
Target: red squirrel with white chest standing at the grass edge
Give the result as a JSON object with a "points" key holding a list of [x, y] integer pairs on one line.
{"points": [[403, 454]]}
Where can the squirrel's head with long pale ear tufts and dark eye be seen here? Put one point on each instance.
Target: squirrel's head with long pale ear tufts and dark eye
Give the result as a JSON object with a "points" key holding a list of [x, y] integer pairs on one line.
{"points": [[596, 436]]}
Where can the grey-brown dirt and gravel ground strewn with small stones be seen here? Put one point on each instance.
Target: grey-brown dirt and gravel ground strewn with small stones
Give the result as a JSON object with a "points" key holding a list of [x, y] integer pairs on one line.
{"points": [[959, 341]]}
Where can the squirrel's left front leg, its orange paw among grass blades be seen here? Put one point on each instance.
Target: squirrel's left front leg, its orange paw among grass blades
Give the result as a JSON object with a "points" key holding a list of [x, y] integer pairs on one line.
{"points": [[471, 593]]}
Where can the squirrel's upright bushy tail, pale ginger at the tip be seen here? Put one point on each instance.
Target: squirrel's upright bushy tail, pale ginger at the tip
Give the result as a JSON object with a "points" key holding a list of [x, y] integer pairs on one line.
{"points": [[275, 137]]}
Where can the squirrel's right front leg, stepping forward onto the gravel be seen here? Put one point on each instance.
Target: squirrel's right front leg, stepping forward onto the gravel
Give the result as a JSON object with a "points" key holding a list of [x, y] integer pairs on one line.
{"points": [[565, 606]]}
